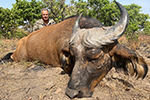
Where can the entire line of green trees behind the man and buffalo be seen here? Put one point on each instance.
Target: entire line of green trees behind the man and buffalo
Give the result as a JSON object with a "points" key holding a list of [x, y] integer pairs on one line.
{"points": [[18, 21]]}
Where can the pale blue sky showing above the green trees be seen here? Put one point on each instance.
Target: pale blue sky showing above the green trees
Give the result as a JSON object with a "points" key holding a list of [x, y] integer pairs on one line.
{"points": [[143, 3]]}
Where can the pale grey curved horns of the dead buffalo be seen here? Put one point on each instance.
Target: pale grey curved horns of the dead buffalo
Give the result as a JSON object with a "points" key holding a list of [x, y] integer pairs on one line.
{"points": [[100, 37]]}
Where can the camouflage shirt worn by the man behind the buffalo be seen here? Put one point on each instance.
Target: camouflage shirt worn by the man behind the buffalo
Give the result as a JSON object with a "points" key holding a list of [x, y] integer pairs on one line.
{"points": [[39, 24]]}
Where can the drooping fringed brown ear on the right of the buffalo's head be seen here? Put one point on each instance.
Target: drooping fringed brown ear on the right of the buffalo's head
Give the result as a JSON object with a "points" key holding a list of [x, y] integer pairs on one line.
{"points": [[128, 60]]}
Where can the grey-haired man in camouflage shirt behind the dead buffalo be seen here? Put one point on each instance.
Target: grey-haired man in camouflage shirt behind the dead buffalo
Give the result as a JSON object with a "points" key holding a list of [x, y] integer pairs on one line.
{"points": [[45, 21]]}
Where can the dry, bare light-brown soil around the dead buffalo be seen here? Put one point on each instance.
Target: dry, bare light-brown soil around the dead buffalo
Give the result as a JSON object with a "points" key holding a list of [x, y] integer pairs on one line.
{"points": [[35, 81]]}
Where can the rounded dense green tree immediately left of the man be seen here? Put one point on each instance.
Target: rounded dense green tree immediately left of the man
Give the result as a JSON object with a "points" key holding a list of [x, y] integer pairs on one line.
{"points": [[26, 13]]}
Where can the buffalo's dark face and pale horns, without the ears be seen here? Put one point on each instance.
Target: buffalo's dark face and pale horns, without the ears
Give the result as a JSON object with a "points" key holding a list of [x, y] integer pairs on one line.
{"points": [[90, 50]]}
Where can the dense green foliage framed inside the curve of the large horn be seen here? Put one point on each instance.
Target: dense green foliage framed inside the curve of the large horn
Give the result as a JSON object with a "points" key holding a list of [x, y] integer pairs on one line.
{"points": [[104, 11]]}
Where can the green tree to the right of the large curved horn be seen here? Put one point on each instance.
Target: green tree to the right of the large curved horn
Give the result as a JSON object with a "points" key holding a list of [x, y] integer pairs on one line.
{"points": [[138, 21]]}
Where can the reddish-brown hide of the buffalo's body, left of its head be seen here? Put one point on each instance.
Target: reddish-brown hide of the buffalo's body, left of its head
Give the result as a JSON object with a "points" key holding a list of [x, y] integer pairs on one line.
{"points": [[45, 44]]}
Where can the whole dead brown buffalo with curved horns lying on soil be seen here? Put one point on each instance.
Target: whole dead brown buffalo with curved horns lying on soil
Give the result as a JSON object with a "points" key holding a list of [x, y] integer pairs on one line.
{"points": [[89, 53]]}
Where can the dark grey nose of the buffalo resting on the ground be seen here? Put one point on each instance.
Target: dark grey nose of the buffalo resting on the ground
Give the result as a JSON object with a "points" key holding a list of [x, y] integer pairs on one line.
{"points": [[72, 93]]}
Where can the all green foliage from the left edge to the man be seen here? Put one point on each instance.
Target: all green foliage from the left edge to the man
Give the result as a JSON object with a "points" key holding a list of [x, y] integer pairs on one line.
{"points": [[23, 14]]}
